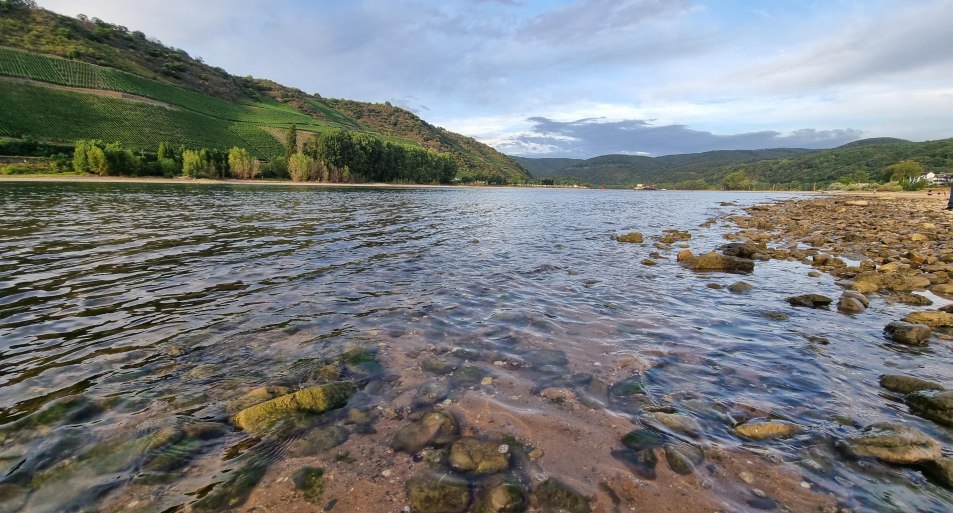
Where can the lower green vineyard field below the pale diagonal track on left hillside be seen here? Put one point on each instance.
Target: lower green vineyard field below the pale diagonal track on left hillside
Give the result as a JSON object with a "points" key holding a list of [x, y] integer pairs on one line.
{"points": [[67, 116]]}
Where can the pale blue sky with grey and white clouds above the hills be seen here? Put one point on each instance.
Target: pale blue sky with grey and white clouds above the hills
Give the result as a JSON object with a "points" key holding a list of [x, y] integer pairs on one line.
{"points": [[581, 78]]}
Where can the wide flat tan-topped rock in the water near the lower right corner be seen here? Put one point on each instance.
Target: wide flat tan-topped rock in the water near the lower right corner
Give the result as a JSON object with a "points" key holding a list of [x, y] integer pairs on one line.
{"points": [[892, 443]]}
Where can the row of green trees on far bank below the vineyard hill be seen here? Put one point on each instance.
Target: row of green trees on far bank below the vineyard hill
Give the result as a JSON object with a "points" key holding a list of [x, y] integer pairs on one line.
{"points": [[336, 156]]}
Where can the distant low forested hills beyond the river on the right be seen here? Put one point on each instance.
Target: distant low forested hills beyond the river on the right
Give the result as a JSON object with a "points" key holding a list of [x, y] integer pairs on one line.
{"points": [[861, 161]]}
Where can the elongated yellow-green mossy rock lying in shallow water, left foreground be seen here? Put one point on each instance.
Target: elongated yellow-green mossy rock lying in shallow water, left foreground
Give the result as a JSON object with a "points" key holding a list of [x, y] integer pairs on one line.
{"points": [[319, 399]]}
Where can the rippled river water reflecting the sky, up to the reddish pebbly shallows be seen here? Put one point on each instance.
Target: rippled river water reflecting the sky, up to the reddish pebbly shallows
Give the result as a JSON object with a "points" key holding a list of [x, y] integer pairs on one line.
{"points": [[129, 309]]}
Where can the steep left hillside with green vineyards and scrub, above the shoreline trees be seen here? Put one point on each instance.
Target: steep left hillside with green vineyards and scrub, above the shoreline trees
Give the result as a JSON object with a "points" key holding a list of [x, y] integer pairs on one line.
{"points": [[64, 79]]}
